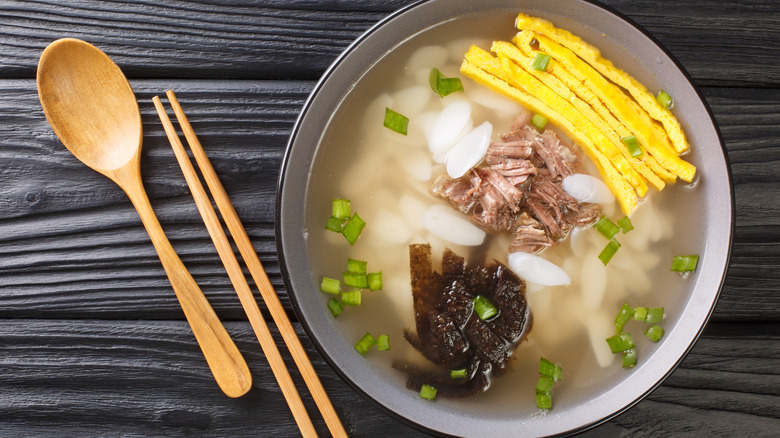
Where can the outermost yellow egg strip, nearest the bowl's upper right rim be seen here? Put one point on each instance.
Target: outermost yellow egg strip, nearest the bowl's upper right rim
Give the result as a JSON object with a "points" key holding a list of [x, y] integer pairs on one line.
{"points": [[592, 56]]}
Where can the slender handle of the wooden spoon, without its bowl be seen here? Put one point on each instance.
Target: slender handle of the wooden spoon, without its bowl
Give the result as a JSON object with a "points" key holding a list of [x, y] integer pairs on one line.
{"points": [[226, 362]]}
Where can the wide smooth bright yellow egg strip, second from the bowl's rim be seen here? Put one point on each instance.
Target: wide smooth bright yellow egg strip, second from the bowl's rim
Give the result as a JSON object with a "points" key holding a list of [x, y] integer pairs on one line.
{"points": [[647, 131]]}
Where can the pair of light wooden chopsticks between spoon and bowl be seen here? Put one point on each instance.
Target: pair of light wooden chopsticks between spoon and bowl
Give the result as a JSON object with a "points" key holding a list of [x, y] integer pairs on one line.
{"points": [[255, 268]]}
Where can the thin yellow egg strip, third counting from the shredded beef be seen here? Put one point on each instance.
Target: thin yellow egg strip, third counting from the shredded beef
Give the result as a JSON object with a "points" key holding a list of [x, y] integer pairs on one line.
{"points": [[548, 79]]}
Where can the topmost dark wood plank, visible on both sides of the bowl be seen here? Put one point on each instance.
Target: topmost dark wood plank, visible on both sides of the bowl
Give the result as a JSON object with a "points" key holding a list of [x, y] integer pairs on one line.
{"points": [[299, 39]]}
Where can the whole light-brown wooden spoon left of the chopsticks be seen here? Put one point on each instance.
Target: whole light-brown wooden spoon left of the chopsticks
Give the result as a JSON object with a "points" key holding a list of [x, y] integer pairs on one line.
{"points": [[93, 111]]}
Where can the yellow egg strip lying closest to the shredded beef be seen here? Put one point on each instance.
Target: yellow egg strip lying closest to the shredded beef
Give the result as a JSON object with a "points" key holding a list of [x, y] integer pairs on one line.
{"points": [[487, 70]]}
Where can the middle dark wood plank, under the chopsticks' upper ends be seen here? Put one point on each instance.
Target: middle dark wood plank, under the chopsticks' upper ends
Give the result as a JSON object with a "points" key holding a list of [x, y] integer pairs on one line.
{"points": [[73, 246]]}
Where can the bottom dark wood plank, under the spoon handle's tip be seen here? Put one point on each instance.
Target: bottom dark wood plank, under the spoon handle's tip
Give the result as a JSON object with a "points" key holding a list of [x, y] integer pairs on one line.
{"points": [[145, 378]]}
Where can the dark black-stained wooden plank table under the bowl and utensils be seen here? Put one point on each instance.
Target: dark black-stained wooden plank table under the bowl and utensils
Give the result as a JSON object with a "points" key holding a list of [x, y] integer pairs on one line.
{"points": [[92, 340]]}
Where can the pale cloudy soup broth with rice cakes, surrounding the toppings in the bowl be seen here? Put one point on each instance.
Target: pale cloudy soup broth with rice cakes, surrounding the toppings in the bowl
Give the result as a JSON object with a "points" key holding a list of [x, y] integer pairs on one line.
{"points": [[388, 177]]}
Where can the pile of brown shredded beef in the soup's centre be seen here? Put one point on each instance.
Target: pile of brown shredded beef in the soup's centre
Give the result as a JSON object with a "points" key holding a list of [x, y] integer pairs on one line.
{"points": [[519, 188]]}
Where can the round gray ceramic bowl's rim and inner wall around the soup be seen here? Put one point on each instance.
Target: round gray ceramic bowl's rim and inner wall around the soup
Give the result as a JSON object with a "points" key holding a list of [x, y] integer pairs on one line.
{"points": [[710, 228]]}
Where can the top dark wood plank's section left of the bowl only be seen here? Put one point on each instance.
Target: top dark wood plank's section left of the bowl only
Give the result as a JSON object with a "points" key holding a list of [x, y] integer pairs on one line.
{"points": [[294, 39]]}
